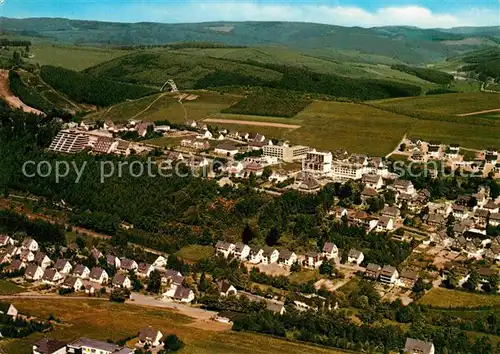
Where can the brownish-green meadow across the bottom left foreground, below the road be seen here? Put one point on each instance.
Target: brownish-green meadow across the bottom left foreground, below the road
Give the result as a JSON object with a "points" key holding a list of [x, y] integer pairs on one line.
{"points": [[103, 320]]}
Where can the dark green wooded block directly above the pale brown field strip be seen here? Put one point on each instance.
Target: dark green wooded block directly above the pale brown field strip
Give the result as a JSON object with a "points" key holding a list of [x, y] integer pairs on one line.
{"points": [[273, 103]]}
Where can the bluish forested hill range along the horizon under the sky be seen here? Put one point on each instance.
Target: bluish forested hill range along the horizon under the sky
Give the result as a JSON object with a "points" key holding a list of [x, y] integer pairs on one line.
{"points": [[412, 45]]}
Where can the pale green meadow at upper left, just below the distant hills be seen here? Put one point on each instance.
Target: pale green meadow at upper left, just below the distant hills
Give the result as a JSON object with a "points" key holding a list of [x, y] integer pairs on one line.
{"points": [[72, 57]]}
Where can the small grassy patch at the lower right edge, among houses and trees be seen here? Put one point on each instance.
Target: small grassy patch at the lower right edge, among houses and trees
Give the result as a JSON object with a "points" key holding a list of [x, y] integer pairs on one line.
{"points": [[439, 297]]}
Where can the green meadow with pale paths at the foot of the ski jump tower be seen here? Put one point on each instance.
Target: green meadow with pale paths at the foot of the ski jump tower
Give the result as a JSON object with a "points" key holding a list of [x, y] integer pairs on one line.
{"points": [[167, 107]]}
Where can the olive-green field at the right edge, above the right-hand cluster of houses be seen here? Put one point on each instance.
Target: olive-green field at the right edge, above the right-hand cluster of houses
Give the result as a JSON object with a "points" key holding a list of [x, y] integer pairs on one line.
{"points": [[446, 104]]}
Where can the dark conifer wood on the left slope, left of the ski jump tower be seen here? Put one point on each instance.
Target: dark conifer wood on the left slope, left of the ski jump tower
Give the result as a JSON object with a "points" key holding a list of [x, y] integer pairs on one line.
{"points": [[86, 88]]}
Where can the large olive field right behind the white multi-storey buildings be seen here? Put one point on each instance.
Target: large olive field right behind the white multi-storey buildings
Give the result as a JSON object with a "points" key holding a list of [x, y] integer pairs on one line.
{"points": [[355, 127]]}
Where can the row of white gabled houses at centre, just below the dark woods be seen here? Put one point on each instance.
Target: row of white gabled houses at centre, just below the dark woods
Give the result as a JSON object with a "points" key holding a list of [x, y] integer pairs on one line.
{"points": [[270, 255]]}
